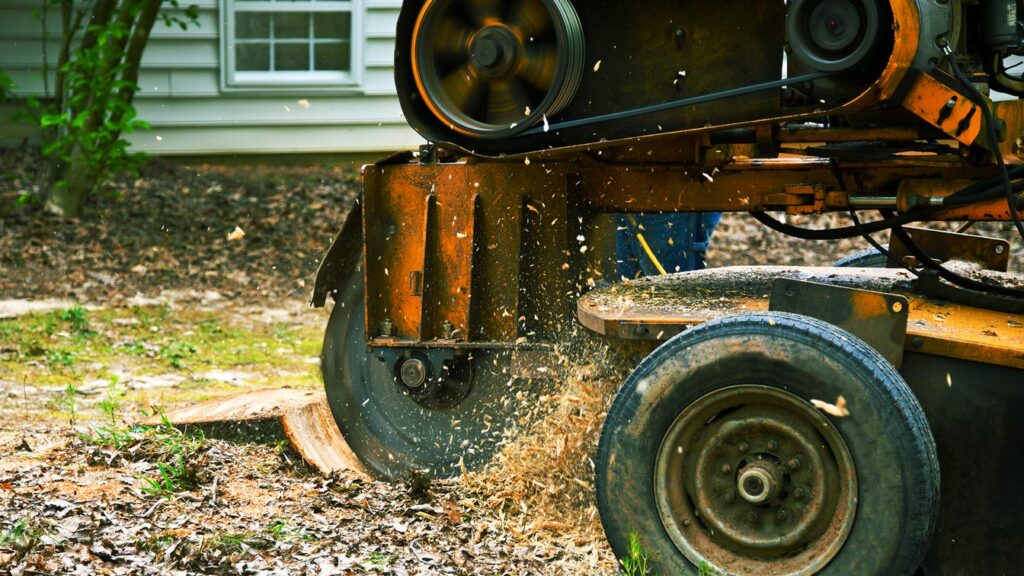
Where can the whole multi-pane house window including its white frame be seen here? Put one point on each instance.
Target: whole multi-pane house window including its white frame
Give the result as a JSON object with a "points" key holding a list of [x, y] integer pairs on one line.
{"points": [[279, 44]]}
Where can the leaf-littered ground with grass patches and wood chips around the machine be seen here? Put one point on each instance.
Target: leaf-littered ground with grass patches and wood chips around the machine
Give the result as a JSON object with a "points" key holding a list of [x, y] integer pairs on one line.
{"points": [[148, 304]]}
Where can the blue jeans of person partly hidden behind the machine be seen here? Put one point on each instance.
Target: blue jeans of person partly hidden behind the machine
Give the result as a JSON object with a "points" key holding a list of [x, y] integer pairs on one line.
{"points": [[679, 240]]}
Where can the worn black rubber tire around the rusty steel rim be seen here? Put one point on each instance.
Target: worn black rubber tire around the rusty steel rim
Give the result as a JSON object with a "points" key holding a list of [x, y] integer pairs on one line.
{"points": [[888, 437]]}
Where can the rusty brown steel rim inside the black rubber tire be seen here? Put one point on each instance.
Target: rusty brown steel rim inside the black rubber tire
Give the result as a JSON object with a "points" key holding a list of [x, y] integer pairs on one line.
{"points": [[754, 433]]}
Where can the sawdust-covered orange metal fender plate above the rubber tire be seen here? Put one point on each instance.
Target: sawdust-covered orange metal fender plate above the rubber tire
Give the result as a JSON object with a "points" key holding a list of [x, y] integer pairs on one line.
{"points": [[658, 308]]}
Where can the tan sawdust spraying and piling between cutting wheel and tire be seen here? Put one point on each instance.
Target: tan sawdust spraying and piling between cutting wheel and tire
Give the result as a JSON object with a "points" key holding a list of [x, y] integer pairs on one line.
{"points": [[543, 479]]}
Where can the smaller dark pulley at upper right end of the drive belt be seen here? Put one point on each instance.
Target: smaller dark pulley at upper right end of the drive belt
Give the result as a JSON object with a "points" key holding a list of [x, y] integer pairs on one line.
{"points": [[833, 35]]}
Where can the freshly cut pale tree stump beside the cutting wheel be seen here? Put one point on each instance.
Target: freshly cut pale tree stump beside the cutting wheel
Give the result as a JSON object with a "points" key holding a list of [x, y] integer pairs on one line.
{"points": [[305, 417]]}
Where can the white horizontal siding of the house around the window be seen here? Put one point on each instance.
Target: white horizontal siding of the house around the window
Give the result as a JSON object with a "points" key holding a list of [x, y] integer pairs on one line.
{"points": [[191, 113]]}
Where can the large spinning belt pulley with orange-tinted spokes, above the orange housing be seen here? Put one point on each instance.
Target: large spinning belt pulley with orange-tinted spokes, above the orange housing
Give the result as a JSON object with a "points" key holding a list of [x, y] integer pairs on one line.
{"points": [[491, 69]]}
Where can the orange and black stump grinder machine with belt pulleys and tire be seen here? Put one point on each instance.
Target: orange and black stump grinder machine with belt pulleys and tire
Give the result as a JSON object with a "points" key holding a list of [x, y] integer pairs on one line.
{"points": [[787, 421]]}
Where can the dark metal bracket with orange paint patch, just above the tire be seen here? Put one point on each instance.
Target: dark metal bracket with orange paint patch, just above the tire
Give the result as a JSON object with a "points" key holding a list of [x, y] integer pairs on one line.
{"points": [[877, 318]]}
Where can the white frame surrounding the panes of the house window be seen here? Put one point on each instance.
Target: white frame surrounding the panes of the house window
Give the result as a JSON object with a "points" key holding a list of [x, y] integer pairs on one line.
{"points": [[233, 80]]}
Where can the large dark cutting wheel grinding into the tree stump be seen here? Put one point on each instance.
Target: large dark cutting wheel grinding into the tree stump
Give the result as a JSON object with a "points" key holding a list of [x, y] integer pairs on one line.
{"points": [[389, 429]]}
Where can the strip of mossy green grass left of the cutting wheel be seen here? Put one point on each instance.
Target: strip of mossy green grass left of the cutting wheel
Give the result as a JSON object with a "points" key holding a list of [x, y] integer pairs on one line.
{"points": [[70, 348]]}
